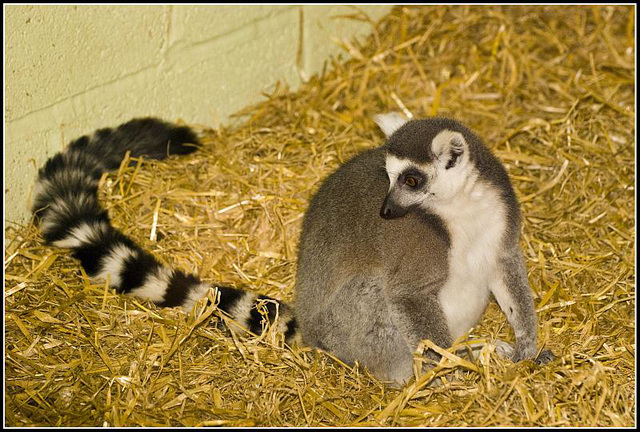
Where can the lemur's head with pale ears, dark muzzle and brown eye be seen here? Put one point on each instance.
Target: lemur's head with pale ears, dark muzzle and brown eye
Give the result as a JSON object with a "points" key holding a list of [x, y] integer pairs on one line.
{"points": [[427, 164]]}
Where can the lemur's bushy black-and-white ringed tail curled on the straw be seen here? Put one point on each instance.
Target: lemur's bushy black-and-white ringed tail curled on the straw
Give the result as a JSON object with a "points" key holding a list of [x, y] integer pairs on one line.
{"points": [[70, 216]]}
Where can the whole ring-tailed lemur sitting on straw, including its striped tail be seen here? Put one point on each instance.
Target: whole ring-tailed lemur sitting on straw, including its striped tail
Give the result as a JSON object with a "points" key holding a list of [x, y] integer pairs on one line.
{"points": [[404, 242]]}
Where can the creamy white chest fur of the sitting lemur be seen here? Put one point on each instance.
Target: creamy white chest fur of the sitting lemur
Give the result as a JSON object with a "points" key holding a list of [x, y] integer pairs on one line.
{"points": [[476, 222]]}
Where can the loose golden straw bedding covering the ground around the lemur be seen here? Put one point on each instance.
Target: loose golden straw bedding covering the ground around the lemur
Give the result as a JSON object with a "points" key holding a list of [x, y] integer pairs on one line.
{"points": [[551, 90]]}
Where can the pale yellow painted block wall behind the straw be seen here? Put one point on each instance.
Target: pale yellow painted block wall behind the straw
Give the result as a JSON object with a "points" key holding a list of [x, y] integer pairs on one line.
{"points": [[72, 69]]}
